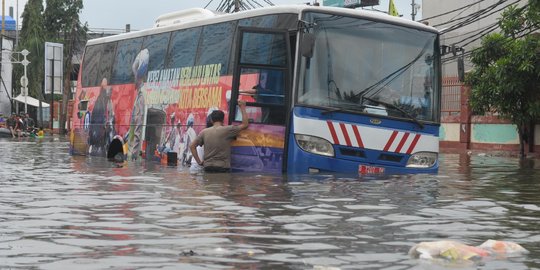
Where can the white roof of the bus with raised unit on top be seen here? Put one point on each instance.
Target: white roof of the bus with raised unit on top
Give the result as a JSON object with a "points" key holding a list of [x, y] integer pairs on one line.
{"points": [[207, 18]]}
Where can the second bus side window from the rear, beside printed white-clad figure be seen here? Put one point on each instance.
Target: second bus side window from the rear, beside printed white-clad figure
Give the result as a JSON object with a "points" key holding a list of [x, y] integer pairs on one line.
{"points": [[125, 54]]}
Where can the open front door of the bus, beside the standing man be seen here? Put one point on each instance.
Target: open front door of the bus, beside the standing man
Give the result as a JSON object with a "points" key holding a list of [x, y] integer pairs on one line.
{"points": [[262, 78]]}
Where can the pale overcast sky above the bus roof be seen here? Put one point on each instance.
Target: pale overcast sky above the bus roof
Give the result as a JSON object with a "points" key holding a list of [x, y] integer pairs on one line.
{"points": [[140, 14]]}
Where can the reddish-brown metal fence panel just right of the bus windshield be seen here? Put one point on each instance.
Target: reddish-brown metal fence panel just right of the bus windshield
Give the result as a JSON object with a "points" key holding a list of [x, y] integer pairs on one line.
{"points": [[451, 96]]}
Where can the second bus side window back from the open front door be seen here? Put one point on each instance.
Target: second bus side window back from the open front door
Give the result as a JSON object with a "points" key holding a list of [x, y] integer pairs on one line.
{"points": [[183, 48]]}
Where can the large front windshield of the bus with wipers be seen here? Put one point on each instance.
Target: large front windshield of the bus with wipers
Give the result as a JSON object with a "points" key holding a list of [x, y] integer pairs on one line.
{"points": [[372, 67]]}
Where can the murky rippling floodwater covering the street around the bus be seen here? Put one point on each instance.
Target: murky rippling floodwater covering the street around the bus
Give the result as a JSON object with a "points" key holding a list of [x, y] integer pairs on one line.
{"points": [[68, 212]]}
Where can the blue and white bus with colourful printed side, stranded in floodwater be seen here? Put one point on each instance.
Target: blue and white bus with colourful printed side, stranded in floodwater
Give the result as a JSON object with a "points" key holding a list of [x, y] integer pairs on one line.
{"points": [[327, 90]]}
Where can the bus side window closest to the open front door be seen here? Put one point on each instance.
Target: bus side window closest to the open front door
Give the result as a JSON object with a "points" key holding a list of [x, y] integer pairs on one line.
{"points": [[216, 45]]}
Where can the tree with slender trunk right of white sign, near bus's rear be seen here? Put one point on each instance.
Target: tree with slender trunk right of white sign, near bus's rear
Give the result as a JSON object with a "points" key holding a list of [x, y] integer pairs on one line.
{"points": [[62, 24]]}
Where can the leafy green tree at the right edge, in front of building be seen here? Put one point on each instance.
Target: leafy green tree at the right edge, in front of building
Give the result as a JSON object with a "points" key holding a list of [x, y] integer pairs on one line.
{"points": [[506, 77]]}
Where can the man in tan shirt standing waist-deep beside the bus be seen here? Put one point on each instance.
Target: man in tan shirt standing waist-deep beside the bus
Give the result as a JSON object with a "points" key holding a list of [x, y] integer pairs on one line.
{"points": [[217, 141]]}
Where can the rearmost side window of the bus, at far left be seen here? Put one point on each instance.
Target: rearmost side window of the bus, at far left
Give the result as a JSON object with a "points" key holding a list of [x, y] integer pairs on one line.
{"points": [[97, 63]]}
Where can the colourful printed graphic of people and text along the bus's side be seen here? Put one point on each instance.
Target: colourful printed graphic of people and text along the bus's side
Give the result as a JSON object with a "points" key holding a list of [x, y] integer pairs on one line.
{"points": [[168, 109]]}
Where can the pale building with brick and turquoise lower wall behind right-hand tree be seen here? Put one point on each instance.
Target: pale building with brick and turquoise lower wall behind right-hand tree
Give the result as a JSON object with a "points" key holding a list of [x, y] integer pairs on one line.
{"points": [[463, 24]]}
